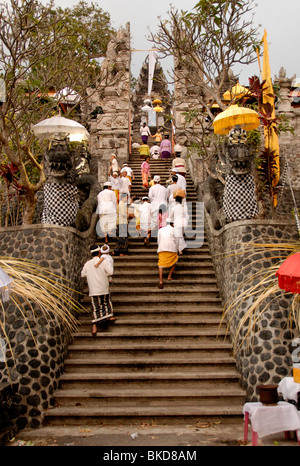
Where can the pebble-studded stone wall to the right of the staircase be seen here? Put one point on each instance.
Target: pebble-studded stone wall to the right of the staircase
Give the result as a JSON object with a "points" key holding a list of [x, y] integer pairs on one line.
{"points": [[265, 358]]}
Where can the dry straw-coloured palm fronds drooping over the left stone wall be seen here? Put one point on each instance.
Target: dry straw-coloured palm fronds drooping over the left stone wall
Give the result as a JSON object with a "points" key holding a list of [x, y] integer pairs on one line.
{"points": [[36, 293]]}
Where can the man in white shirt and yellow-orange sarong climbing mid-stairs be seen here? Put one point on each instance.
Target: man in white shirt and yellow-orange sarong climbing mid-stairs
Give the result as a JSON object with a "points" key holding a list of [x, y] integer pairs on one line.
{"points": [[167, 251]]}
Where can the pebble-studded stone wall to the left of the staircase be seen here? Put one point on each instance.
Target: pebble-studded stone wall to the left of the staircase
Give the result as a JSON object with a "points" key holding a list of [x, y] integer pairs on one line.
{"points": [[36, 357]]}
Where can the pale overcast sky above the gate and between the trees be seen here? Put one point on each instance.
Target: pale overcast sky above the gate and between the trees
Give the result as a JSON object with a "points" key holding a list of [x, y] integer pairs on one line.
{"points": [[280, 19]]}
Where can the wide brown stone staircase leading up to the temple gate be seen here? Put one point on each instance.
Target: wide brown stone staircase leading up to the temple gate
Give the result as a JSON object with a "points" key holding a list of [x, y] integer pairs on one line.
{"points": [[166, 359]]}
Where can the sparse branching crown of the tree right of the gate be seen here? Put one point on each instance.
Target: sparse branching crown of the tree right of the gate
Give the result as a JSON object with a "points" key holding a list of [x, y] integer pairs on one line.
{"points": [[207, 43]]}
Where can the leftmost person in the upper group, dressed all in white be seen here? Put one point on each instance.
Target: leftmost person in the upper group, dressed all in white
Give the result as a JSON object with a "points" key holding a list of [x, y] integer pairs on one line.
{"points": [[107, 210]]}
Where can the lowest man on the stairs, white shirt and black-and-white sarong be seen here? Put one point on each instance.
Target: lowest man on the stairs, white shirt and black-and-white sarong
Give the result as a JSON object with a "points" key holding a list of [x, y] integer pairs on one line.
{"points": [[98, 284]]}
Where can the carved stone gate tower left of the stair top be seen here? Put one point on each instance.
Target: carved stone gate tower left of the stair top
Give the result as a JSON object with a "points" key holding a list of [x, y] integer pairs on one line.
{"points": [[110, 130]]}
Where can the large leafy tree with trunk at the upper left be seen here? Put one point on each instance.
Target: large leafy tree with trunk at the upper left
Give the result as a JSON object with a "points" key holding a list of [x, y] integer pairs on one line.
{"points": [[43, 50]]}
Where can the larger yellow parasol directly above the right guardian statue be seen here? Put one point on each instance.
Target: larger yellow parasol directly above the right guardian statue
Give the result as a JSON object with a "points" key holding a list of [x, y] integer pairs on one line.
{"points": [[234, 115]]}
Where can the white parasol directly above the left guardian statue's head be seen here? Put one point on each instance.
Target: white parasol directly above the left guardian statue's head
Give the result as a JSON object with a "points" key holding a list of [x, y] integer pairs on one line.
{"points": [[58, 125]]}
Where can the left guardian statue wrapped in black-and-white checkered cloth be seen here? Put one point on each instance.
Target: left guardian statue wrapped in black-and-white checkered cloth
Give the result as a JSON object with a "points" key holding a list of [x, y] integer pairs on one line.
{"points": [[70, 191]]}
